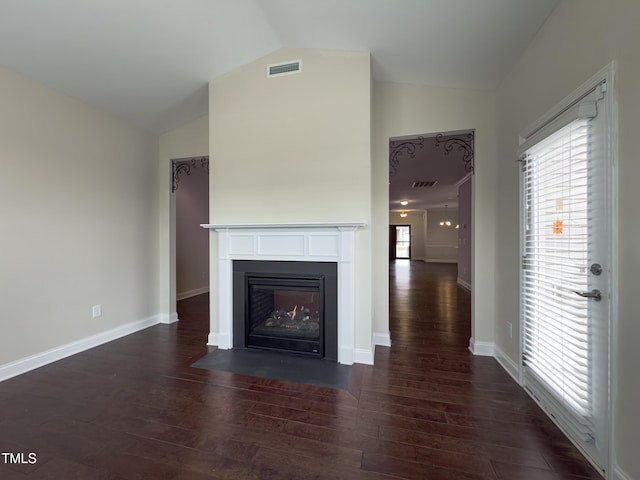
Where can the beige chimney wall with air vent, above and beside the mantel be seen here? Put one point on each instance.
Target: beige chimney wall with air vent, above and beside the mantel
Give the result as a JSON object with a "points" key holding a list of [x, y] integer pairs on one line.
{"points": [[296, 148]]}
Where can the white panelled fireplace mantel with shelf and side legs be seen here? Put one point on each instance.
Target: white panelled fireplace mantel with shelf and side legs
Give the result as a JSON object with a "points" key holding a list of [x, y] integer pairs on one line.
{"points": [[302, 242]]}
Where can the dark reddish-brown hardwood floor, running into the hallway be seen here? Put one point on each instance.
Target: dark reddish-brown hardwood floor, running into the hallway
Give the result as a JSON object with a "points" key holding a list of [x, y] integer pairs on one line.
{"points": [[428, 409]]}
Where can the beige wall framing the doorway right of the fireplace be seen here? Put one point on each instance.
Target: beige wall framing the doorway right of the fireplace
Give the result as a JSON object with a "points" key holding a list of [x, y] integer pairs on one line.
{"points": [[400, 110]]}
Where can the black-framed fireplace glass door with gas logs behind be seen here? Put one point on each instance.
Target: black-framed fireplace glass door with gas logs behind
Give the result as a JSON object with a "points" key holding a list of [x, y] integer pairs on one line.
{"points": [[285, 313]]}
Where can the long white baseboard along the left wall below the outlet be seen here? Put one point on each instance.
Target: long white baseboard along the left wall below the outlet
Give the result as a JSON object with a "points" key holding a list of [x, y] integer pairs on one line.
{"points": [[38, 360]]}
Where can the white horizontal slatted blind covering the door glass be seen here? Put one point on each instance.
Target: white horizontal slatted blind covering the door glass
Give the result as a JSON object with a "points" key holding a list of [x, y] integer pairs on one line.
{"points": [[556, 240]]}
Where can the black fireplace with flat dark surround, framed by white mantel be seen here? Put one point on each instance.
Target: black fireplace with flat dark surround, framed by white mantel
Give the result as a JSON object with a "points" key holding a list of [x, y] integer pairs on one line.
{"points": [[286, 306]]}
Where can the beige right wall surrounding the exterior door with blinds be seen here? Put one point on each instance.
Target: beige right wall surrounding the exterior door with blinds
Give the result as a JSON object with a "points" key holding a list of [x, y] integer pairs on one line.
{"points": [[580, 38]]}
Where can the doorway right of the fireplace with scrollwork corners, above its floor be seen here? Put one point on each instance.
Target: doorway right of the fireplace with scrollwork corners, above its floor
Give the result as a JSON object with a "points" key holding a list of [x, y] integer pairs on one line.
{"points": [[430, 177]]}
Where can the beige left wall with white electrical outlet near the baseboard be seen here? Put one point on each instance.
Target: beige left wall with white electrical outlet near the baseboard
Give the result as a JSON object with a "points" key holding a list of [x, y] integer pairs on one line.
{"points": [[78, 220]]}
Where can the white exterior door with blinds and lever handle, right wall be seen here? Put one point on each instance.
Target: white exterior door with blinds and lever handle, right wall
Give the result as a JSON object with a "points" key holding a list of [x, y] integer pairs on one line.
{"points": [[567, 269]]}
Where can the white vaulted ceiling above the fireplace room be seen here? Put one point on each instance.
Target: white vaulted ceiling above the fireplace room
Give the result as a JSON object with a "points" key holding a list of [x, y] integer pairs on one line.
{"points": [[149, 61]]}
